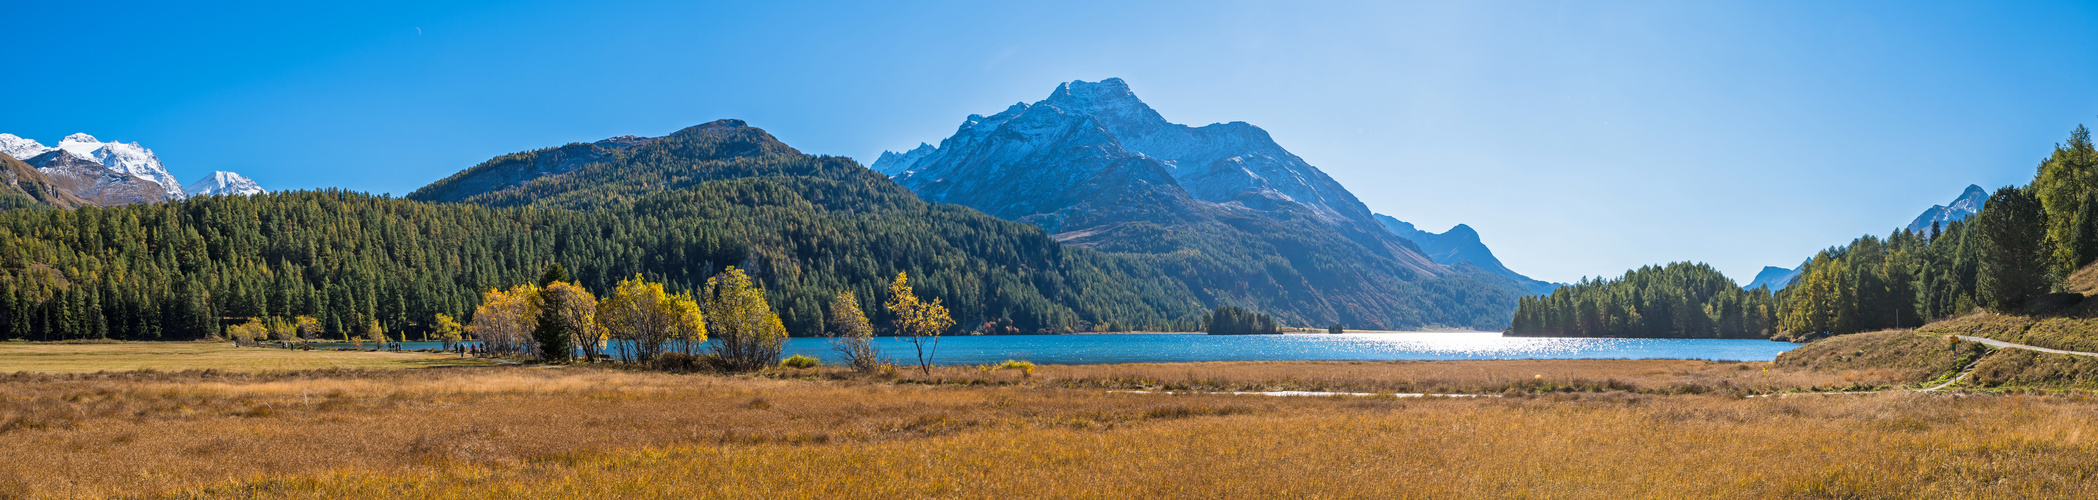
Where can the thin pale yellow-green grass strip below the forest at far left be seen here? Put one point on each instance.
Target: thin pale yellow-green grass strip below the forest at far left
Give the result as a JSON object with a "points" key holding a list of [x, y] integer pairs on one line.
{"points": [[202, 356]]}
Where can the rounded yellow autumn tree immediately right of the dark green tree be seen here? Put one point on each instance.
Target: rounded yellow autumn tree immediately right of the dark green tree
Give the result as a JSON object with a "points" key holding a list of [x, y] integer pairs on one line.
{"points": [[647, 320]]}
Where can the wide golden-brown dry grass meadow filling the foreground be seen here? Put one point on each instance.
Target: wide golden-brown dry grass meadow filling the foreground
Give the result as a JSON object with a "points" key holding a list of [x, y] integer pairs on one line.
{"points": [[1063, 432]]}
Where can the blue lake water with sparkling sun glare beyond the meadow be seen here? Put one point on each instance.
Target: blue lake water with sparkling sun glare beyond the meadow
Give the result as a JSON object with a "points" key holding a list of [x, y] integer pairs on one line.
{"points": [[1298, 348]]}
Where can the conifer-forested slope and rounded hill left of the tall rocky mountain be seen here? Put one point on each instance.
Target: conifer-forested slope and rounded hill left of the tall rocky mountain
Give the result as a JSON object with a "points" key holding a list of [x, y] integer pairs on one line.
{"points": [[675, 211]]}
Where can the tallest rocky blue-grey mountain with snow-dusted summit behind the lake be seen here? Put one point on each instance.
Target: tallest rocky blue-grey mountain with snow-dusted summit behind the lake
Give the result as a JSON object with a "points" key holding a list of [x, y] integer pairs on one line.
{"points": [[1222, 207]]}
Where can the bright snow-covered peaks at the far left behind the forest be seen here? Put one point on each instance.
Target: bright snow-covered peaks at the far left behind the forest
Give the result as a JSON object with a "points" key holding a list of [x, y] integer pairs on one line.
{"points": [[116, 173]]}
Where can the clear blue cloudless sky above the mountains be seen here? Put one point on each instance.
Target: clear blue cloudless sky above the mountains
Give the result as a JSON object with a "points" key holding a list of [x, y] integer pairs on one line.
{"points": [[1579, 138]]}
